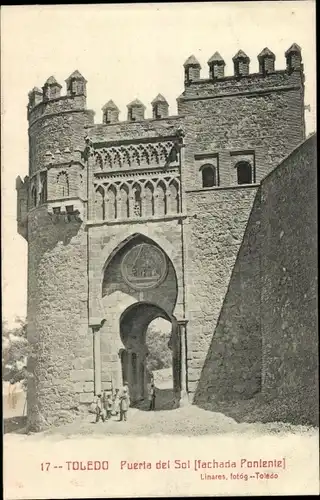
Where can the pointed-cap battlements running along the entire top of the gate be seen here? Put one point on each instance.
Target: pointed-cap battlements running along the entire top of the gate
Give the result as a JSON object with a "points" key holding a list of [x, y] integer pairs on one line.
{"points": [[49, 101]]}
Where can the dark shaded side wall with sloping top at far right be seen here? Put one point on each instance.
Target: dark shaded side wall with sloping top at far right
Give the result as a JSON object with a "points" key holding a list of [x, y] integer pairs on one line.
{"points": [[289, 278]]}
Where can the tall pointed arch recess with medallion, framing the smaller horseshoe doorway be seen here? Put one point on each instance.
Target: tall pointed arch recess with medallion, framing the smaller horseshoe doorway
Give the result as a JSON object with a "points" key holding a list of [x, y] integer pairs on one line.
{"points": [[139, 285]]}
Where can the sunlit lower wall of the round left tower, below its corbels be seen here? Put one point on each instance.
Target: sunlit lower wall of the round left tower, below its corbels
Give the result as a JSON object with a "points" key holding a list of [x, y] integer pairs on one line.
{"points": [[62, 362]]}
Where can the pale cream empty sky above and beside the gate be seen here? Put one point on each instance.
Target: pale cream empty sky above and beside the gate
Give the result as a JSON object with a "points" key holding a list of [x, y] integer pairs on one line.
{"points": [[125, 52]]}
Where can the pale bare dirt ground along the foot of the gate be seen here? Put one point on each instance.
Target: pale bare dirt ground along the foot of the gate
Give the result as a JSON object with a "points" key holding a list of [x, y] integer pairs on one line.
{"points": [[186, 421]]}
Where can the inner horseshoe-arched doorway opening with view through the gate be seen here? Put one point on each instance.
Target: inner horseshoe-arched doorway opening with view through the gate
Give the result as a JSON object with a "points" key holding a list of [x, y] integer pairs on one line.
{"points": [[146, 352]]}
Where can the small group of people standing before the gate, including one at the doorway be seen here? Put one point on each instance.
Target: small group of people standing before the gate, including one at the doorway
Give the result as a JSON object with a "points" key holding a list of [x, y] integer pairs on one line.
{"points": [[117, 403]]}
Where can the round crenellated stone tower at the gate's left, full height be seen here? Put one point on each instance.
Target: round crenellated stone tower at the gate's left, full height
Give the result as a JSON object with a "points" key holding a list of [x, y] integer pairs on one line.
{"points": [[53, 211]]}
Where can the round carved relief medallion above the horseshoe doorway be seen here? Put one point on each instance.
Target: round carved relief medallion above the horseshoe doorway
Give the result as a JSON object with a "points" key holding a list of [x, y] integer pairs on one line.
{"points": [[144, 266]]}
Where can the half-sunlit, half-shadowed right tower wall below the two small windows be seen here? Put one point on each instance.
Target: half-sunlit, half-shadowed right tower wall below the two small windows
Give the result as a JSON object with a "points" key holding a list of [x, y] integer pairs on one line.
{"points": [[222, 266]]}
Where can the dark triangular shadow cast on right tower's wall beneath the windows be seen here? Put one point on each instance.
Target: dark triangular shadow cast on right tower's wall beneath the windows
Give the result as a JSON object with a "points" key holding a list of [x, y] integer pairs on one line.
{"points": [[232, 369]]}
